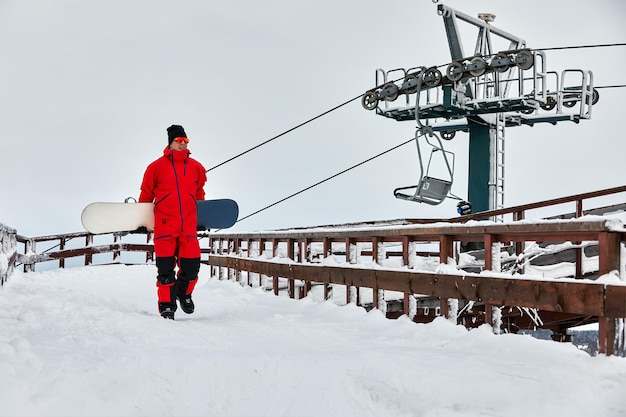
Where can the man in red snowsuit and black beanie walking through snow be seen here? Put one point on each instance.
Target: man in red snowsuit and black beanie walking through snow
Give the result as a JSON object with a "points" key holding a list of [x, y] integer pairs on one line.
{"points": [[174, 182]]}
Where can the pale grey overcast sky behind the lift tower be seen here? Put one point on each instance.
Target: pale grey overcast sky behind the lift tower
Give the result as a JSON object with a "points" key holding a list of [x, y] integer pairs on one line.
{"points": [[89, 87]]}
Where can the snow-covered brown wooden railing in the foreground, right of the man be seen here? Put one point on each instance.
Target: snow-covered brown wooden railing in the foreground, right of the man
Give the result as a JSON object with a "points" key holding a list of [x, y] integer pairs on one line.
{"points": [[305, 260]]}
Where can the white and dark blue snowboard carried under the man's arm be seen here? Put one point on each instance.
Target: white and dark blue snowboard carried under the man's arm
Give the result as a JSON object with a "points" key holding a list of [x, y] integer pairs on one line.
{"points": [[107, 217]]}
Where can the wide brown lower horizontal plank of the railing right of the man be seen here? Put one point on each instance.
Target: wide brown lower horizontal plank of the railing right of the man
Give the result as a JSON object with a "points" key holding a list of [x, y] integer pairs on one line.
{"points": [[550, 295]]}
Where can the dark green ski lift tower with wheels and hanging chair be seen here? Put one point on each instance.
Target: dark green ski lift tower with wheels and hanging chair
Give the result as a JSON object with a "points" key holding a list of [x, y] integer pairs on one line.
{"points": [[481, 94]]}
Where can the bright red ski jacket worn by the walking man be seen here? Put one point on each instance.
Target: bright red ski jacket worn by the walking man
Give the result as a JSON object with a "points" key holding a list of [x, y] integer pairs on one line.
{"points": [[174, 182]]}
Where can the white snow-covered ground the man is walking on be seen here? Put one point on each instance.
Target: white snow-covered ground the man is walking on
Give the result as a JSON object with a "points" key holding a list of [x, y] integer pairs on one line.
{"points": [[88, 341]]}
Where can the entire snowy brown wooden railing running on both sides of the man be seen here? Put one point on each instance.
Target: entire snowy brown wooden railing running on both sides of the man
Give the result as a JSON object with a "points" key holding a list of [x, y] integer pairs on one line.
{"points": [[410, 266]]}
